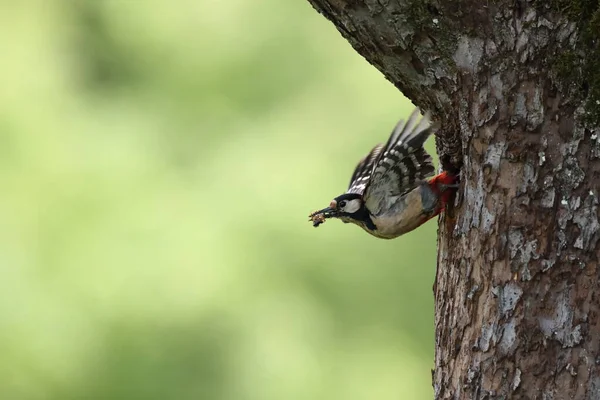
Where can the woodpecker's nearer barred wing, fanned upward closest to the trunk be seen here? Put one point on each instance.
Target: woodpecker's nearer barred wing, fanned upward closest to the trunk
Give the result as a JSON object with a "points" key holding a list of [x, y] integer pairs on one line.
{"points": [[401, 164]]}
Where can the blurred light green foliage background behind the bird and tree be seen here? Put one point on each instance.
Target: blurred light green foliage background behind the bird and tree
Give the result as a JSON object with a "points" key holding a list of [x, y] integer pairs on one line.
{"points": [[159, 160]]}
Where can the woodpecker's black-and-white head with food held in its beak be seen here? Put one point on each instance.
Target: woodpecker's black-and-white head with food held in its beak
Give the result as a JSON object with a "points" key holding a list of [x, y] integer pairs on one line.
{"points": [[348, 207]]}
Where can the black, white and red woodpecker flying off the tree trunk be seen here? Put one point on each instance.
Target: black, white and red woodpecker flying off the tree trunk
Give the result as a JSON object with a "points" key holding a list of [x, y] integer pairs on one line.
{"points": [[389, 193]]}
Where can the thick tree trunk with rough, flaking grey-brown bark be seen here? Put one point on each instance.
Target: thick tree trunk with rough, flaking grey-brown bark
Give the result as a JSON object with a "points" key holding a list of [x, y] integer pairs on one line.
{"points": [[516, 87]]}
